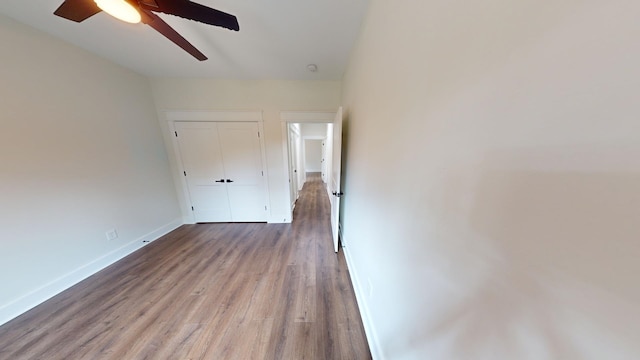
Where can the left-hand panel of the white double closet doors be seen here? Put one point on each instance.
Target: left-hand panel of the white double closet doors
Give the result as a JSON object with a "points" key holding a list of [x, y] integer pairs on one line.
{"points": [[204, 170]]}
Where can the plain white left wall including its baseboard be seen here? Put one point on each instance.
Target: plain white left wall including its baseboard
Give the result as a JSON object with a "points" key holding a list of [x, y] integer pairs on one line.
{"points": [[80, 153]]}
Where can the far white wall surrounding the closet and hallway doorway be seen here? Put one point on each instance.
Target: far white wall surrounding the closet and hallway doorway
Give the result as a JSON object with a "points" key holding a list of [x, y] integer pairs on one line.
{"points": [[269, 96]]}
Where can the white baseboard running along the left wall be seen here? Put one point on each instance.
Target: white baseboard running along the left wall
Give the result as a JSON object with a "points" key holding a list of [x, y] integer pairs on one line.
{"points": [[26, 302]]}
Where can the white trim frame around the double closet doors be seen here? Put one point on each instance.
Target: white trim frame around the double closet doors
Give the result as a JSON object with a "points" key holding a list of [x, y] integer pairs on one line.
{"points": [[173, 116]]}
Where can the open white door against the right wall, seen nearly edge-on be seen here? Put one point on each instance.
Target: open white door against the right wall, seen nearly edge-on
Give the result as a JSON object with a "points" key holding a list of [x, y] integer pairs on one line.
{"points": [[334, 181]]}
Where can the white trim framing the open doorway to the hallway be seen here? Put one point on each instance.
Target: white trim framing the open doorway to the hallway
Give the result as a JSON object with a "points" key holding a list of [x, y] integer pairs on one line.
{"points": [[298, 117]]}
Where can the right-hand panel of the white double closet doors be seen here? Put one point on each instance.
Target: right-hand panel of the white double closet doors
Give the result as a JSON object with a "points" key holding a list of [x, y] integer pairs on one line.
{"points": [[242, 156]]}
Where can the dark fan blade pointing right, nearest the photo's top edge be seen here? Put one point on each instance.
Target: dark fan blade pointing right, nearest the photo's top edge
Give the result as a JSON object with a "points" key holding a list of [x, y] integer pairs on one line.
{"points": [[193, 11]]}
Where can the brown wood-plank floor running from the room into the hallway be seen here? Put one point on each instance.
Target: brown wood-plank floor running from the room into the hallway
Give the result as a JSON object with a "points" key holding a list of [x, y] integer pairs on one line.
{"points": [[208, 291]]}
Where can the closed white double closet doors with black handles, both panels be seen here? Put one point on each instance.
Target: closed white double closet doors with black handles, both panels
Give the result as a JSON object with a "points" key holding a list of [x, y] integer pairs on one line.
{"points": [[224, 171]]}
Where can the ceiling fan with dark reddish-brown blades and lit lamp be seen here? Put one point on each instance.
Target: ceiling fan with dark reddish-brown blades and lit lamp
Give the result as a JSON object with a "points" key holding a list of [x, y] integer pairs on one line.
{"points": [[135, 11]]}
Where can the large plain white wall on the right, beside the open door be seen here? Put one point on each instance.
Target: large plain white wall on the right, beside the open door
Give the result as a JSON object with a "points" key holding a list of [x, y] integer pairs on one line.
{"points": [[492, 179]]}
